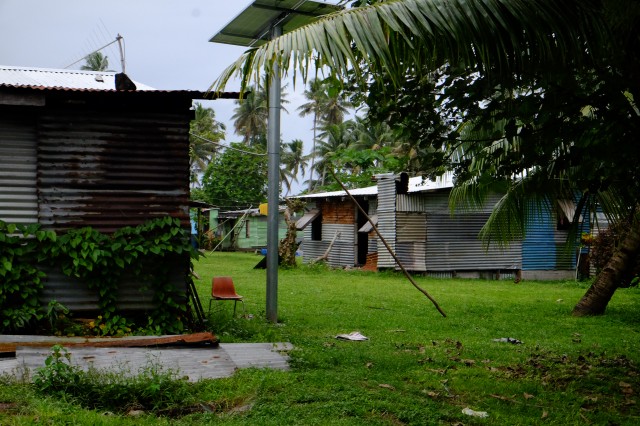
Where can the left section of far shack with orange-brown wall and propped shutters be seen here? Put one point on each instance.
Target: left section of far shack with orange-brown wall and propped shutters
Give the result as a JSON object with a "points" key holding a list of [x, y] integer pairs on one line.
{"points": [[332, 221]]}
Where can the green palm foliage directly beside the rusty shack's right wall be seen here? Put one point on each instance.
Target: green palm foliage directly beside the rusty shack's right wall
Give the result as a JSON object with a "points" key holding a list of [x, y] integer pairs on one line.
{"points": [[205, 134]]}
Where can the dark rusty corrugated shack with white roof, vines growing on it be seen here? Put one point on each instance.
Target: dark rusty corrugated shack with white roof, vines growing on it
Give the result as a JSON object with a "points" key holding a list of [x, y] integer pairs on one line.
{"points": [[75, 152]]}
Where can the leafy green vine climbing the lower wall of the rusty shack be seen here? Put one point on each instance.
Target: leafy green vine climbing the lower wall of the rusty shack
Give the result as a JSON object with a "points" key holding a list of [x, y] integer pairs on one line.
{"points": [[139, 254]]}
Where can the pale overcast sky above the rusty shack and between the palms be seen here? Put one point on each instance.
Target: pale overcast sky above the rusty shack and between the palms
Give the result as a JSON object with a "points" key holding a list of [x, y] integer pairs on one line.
{"points": [[167, 44]]}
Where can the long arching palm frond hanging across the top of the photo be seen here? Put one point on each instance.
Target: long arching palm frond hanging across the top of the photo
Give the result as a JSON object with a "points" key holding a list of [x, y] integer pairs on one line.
{"points": [[503, 35]]}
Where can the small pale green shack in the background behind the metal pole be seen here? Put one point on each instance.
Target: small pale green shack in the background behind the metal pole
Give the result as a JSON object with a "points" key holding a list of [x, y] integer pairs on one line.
{"points": [[246, 230]]}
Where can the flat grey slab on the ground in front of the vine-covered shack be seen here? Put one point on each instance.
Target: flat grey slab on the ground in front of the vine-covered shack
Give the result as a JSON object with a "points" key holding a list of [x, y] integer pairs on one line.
{"points": [[194, 363]]}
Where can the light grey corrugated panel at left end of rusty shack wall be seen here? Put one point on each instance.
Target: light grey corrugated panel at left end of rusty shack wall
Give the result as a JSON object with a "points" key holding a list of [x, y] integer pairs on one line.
{"points": [[18, 169]]}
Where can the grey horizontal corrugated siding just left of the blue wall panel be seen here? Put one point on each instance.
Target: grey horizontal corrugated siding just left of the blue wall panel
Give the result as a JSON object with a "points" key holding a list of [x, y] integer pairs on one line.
{"points": [[452, 244]]}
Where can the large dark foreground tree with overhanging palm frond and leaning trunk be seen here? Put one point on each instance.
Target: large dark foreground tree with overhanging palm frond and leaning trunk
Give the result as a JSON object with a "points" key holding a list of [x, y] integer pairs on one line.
{"points": [[572, 57]]}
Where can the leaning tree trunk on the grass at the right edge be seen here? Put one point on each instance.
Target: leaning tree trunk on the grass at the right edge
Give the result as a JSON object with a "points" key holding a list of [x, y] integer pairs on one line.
{"points": [[595, 300]]}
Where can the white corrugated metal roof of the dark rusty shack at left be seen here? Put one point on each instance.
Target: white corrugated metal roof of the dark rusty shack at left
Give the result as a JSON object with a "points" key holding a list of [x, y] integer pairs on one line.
{"points": [[60, 78]]}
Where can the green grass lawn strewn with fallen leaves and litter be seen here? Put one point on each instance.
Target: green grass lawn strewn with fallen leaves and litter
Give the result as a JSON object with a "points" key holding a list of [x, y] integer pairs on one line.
{"points": [[417, 367]]}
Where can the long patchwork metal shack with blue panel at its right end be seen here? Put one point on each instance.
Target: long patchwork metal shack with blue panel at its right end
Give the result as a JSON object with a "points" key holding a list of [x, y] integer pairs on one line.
{"points": [[414, 218]]}
